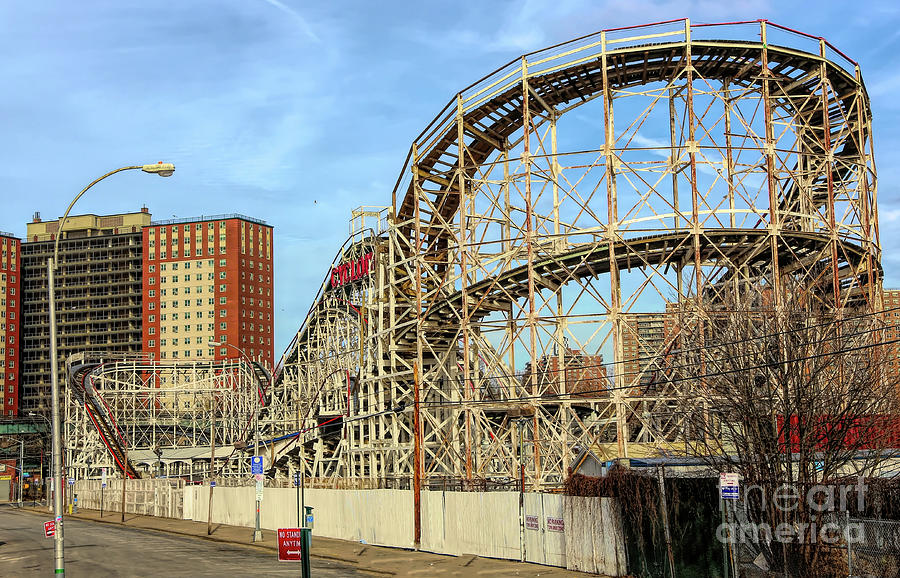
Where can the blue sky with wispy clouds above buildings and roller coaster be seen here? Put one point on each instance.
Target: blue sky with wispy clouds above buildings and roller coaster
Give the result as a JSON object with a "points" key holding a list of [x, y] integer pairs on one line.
{"points": [[298, 112]]}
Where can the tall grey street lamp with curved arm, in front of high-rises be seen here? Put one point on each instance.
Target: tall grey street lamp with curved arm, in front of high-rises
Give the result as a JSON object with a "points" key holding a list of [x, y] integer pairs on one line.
{"points": [[163, 170]]}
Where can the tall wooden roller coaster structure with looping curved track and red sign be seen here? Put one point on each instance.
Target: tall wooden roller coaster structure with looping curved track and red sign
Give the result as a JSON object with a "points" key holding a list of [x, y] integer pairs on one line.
{"points": [[496, 235]]}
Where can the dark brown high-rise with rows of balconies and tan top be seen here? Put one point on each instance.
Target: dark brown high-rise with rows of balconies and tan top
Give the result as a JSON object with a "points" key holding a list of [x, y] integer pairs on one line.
{"points": [[98, 294]]}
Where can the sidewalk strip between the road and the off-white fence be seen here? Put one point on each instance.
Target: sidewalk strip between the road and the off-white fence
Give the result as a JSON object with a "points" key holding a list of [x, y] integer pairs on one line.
{"points": [[377, 560]]}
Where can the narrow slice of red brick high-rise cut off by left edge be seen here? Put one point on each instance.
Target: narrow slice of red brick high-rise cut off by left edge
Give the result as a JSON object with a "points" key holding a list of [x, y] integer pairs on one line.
{"points": [[10, 323]]}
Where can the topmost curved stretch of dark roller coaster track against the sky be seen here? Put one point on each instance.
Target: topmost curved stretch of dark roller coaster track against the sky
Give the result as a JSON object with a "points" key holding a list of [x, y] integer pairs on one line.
{"points": [[491, 117]]}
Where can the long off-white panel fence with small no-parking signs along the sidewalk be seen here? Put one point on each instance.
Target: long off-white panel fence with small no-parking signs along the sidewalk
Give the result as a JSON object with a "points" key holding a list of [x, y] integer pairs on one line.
{"points": [[552, 529]]}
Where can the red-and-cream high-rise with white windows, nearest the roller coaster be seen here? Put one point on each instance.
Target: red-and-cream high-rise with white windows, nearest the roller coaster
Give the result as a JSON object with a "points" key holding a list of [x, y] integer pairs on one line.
{"points": [[208, 279]]}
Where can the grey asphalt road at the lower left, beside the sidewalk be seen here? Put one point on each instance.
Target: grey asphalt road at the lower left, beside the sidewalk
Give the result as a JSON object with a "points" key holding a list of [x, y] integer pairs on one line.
{"points": [[96, 549]]}
